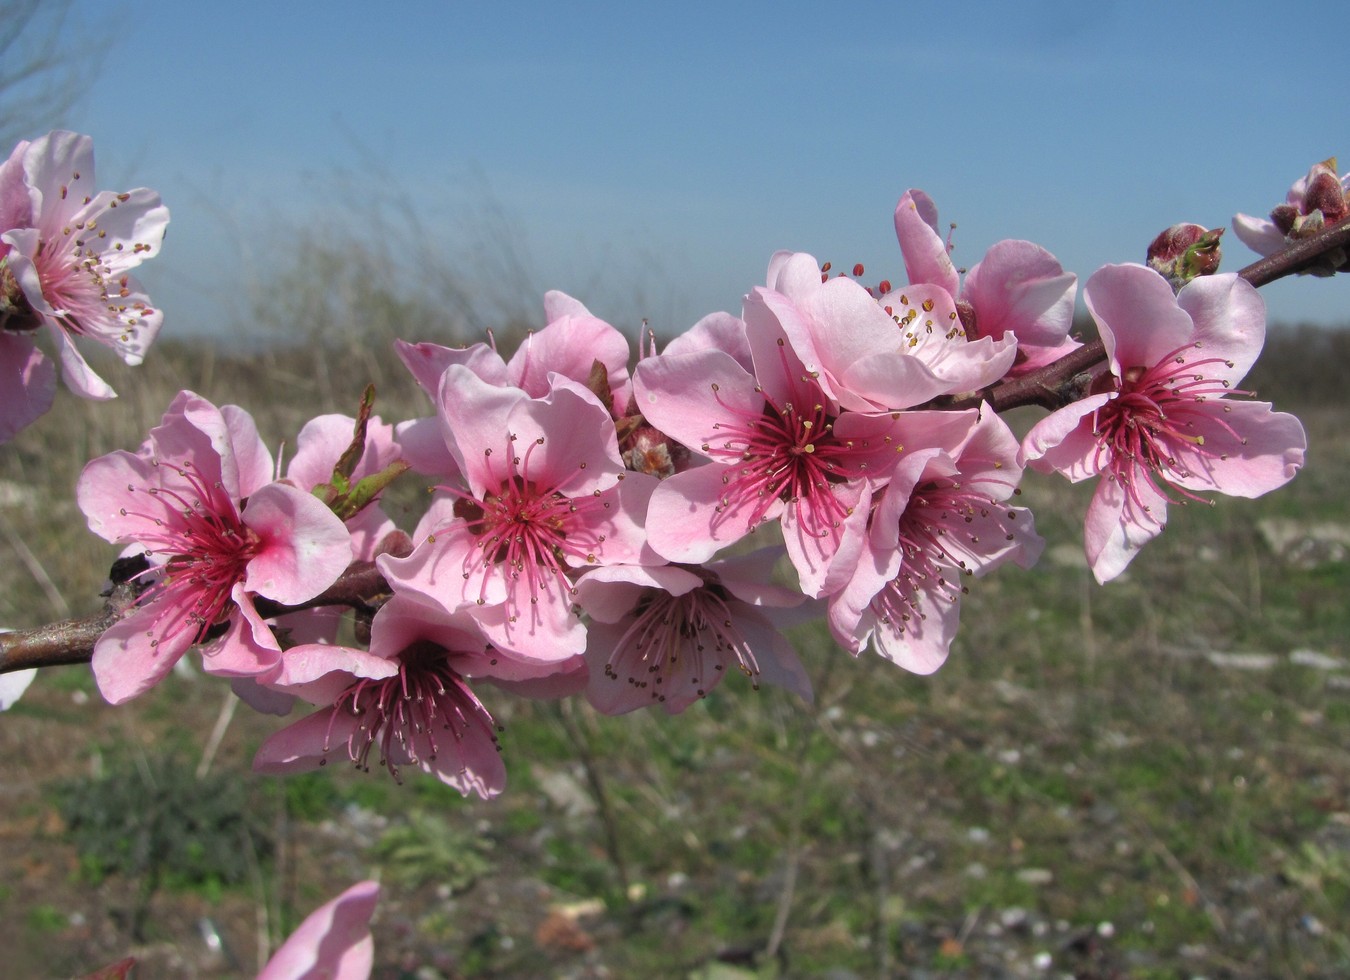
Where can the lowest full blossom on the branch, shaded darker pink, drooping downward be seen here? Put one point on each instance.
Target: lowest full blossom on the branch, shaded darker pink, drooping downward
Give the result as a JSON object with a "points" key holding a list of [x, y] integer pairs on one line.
{"points": [[407, 700]]}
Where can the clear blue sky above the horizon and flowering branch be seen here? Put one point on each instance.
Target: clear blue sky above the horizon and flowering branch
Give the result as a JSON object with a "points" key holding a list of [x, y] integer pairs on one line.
{"points": [[650, 159]]}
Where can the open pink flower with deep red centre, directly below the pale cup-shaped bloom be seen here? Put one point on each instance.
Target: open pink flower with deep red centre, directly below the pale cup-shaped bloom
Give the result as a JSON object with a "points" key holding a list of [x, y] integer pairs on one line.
{"points": [[778, 449]]}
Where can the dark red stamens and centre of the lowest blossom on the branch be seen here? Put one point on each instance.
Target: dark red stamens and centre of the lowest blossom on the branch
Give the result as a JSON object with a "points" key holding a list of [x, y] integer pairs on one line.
{"points": [[415, 716]]}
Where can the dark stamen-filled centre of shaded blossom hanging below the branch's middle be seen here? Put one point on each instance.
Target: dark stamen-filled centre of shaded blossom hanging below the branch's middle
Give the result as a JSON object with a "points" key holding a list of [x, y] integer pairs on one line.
{"points": [[686, 638]]}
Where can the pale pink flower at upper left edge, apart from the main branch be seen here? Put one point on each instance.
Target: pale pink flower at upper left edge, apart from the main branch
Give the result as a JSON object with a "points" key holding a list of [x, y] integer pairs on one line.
{"points": [[68, 260]]}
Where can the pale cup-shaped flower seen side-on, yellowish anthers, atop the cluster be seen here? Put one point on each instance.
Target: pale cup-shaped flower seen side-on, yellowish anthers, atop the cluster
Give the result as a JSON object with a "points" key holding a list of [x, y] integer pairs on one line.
{"points": [[869, 354]]}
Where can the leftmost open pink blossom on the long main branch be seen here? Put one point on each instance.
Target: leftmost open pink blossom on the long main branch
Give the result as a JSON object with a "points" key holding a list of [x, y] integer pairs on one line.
{"points": [[199, 501]]}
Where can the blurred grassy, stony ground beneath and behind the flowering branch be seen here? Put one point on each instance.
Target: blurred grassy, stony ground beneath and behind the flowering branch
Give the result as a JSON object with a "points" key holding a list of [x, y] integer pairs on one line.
{"points": [[1087, 757]]}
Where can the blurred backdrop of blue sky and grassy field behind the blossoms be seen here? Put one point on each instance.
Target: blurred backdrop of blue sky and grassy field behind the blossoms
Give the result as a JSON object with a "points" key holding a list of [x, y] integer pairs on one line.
{"points": [[1148, 780]]}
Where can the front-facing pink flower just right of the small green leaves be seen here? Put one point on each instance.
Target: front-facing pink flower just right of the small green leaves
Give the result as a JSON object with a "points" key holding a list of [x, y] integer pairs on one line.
{"points": [[545, 492]]}
